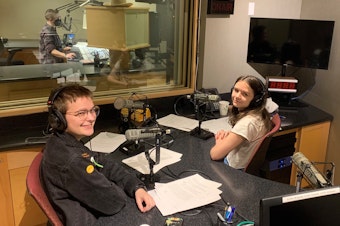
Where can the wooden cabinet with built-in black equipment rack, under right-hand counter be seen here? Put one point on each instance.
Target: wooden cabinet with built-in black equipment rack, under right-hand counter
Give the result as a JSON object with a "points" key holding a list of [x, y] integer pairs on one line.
{"points": [[311, 140]]}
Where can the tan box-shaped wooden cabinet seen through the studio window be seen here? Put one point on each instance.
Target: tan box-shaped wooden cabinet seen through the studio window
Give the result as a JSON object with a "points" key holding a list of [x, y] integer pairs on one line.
{"points": [[117, 28]]}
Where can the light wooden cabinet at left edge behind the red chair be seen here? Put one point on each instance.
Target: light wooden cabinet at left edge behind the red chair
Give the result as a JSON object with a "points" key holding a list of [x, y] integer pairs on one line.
{"points": [[17, 207]]}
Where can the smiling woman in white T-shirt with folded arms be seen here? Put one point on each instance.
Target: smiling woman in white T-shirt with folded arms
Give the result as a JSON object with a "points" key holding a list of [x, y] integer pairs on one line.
{"points": [[249, 119]]}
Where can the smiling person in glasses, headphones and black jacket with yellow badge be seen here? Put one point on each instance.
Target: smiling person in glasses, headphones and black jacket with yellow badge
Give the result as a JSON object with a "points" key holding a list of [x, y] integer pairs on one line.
{"points": [[81, 184]]}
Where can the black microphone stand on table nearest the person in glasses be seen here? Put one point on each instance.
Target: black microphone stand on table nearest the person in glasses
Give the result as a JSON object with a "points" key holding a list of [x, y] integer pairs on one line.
{"points": [[150, 179]]}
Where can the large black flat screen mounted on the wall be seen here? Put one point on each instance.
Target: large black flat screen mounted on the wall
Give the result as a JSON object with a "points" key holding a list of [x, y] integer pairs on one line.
{"points": [[300, 43]]}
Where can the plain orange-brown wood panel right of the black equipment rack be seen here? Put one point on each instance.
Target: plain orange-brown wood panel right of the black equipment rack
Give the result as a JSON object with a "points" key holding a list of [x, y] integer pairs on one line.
{"points": [[312, 142]]}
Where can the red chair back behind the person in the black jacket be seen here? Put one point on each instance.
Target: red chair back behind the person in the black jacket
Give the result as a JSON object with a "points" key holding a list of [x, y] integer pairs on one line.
{"points": [[35, 189]]}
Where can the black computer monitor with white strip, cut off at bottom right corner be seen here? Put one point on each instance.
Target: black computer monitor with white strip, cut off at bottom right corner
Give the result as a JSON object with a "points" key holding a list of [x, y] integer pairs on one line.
{"points": [[317, 207]]}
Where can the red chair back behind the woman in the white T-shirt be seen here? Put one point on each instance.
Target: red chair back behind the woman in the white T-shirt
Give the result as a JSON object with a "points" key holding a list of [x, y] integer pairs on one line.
{"points": [[257, 159]]}
